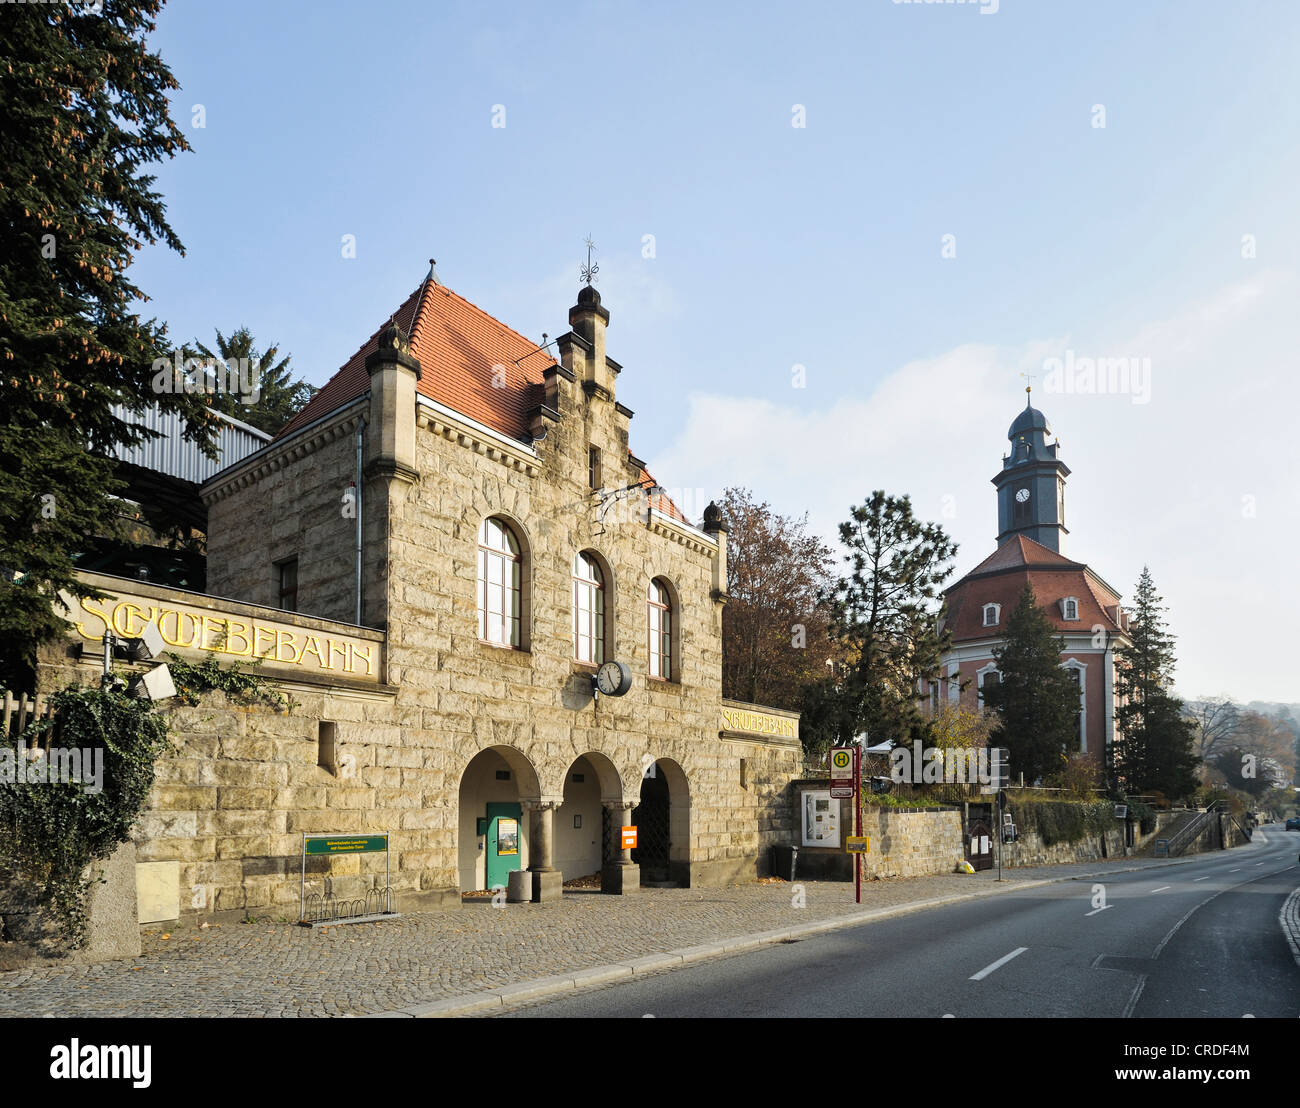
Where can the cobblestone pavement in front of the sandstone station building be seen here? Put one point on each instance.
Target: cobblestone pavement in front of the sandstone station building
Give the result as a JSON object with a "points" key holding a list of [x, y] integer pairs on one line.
{"points": [[281, 969]]}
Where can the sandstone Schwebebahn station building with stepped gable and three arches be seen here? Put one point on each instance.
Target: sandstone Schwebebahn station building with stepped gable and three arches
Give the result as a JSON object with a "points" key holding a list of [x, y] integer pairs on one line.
{"points": [[436, 559]]}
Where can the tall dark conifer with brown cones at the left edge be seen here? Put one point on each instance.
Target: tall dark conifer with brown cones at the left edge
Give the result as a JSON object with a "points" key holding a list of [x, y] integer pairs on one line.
{"points": [[85, 109]]}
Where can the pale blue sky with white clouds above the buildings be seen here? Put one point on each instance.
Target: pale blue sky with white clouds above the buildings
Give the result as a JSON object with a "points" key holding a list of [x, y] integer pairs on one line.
{"points": [[818, 246]]}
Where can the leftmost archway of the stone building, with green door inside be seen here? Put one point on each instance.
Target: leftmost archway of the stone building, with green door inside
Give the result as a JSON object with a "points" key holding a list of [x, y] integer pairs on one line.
{"points": [[492, 830]]}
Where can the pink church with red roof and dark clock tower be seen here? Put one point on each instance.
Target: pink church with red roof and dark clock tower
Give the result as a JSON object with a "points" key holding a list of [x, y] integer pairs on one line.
{"points": [[1081, 605]]}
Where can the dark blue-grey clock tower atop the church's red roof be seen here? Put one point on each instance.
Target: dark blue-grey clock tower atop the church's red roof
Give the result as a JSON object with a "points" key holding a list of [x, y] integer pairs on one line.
{"points": [[1032, 487]]}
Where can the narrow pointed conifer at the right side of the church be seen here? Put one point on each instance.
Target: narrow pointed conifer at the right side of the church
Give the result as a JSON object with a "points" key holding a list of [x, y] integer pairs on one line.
{"points": [[1154, 748]]}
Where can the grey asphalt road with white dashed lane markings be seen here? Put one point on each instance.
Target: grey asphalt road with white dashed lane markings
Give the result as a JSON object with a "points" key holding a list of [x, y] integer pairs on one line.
{"points": [[1199, 940]]}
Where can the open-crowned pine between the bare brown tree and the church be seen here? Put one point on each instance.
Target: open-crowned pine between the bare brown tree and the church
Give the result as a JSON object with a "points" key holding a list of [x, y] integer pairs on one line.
{"points": [[883, 616]]}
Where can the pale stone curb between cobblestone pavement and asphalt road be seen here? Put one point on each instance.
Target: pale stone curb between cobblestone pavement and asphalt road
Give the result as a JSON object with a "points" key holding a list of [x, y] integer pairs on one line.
{"points": [[499, 999]]}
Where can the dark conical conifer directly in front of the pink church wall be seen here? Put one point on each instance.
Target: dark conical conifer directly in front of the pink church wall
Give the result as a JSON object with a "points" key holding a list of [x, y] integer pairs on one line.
{"points": [[1035, 699]]}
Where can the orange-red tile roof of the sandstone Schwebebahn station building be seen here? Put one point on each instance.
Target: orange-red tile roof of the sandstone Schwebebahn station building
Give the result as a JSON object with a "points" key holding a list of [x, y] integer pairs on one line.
{"points": [[462, 352]]}
